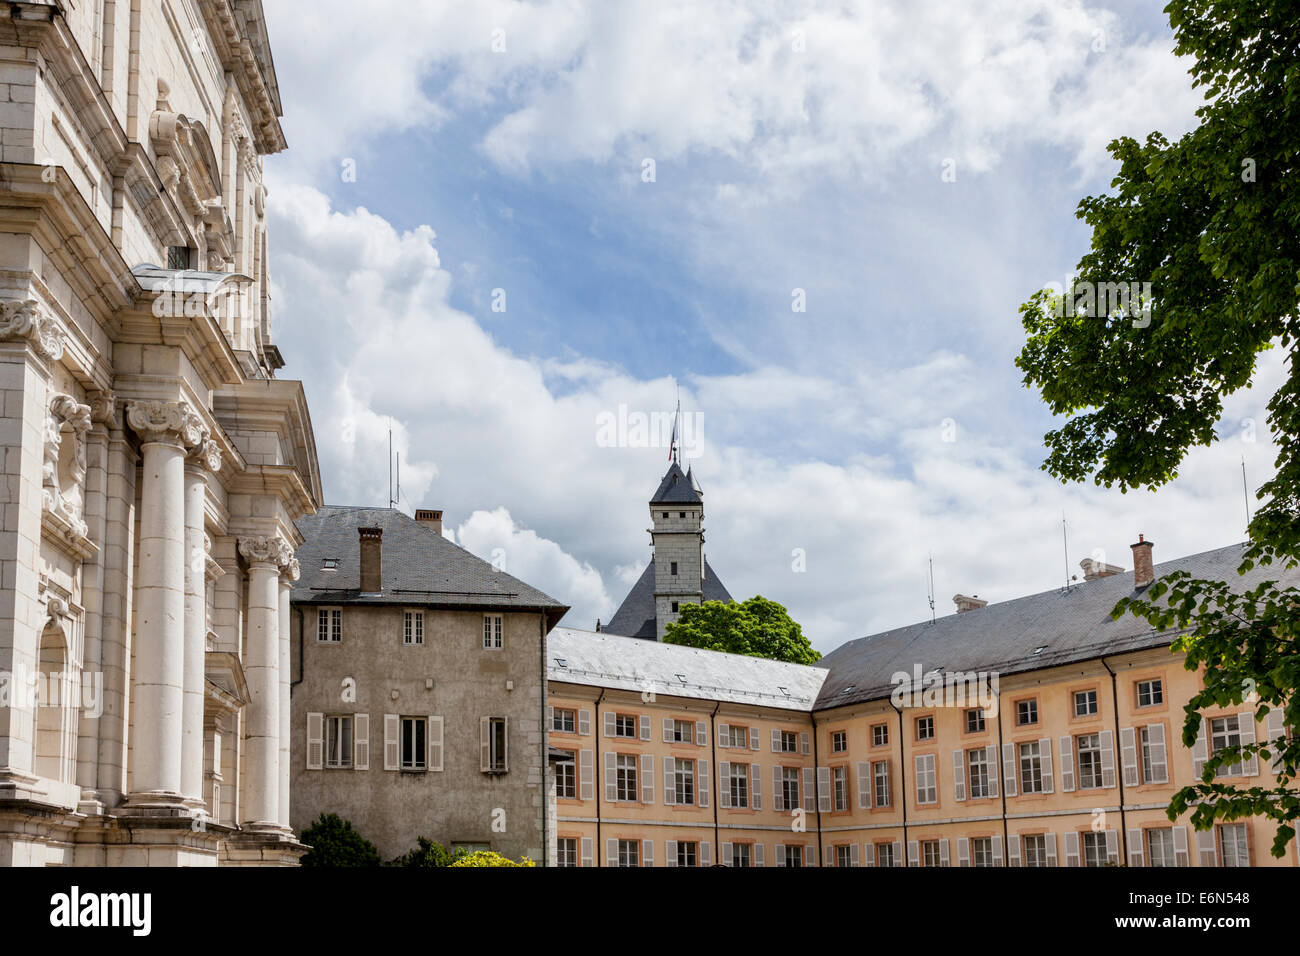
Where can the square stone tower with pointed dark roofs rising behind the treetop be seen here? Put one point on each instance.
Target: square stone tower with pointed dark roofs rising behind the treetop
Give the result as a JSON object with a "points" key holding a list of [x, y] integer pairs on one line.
{"points": [[678, 572]]}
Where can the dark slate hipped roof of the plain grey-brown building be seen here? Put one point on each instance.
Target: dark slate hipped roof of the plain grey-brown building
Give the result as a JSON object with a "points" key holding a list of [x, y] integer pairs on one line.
{"points": [[419, 566]]}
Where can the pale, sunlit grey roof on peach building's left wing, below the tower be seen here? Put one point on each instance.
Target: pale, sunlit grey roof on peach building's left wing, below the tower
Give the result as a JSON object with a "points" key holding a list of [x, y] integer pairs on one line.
{"points": [[627, 664]]}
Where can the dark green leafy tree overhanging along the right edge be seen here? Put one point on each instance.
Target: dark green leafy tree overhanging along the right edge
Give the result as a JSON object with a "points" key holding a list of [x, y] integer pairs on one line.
{"points": [[1211, 222]]}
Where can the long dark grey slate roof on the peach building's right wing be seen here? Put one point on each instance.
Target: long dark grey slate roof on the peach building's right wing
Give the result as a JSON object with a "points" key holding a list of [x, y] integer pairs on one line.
{"points": [[1007, 638]]}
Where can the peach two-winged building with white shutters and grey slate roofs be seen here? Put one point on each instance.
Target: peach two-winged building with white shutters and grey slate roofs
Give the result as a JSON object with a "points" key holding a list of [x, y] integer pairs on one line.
{"points": [[1032, 733]]}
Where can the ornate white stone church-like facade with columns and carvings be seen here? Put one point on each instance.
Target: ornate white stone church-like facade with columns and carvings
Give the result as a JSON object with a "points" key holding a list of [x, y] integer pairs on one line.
{"points": [[154, 465]]}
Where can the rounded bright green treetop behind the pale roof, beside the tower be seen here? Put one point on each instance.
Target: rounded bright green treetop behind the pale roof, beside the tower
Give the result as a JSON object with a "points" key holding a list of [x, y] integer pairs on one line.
{"points": [[756, 628]]}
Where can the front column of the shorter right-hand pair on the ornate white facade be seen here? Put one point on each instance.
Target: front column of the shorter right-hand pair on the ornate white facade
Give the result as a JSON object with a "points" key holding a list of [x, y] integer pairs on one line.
{"points": [[262, 669]]}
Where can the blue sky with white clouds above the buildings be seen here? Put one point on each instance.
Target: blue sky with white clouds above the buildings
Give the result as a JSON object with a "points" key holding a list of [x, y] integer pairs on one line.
{"points": [[796, 148]]}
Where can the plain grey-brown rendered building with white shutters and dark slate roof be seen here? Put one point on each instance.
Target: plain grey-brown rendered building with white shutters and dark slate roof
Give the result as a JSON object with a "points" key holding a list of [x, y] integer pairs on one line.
{"points": [[419, 689]]}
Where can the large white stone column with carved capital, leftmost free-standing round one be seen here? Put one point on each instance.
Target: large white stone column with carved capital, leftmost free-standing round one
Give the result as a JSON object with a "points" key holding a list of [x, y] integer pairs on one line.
{"points": [[168, 430]]}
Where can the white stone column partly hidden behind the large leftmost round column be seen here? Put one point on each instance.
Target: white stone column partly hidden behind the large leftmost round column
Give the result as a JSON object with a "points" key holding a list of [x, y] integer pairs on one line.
{"points": [[205, 461]]}
